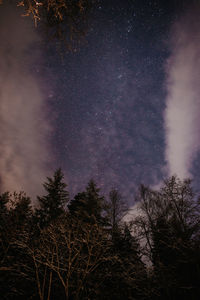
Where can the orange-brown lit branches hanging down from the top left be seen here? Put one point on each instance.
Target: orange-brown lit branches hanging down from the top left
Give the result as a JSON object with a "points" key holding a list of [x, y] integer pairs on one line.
{"points": [[66, 20]]}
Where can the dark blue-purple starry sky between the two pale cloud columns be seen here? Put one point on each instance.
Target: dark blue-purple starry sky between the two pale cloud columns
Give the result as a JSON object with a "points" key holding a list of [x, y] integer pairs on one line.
{"points": [[105, 103]]}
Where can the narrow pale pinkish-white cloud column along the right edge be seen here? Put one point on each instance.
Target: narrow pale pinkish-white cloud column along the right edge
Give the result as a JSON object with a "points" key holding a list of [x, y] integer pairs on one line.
{"points": [[182, 122]]}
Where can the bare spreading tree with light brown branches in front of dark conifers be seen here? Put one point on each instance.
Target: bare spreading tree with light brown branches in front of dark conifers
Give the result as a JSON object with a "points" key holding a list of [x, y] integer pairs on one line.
{"points": [[68, 255]]}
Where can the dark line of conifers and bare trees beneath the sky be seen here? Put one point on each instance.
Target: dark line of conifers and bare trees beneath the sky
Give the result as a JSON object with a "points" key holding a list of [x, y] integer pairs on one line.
{"points": [[83, 249]]}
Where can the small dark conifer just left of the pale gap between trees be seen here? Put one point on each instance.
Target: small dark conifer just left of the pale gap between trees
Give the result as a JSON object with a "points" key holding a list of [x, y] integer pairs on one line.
{"points": [[124, 273]]}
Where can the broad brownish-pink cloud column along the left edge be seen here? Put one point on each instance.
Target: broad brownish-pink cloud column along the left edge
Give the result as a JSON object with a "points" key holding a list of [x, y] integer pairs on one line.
{"points": [[23, 145]]}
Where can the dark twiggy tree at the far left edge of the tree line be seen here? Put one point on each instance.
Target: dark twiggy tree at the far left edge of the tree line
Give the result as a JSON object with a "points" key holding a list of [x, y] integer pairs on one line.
{"points": [[17, 223]]}
